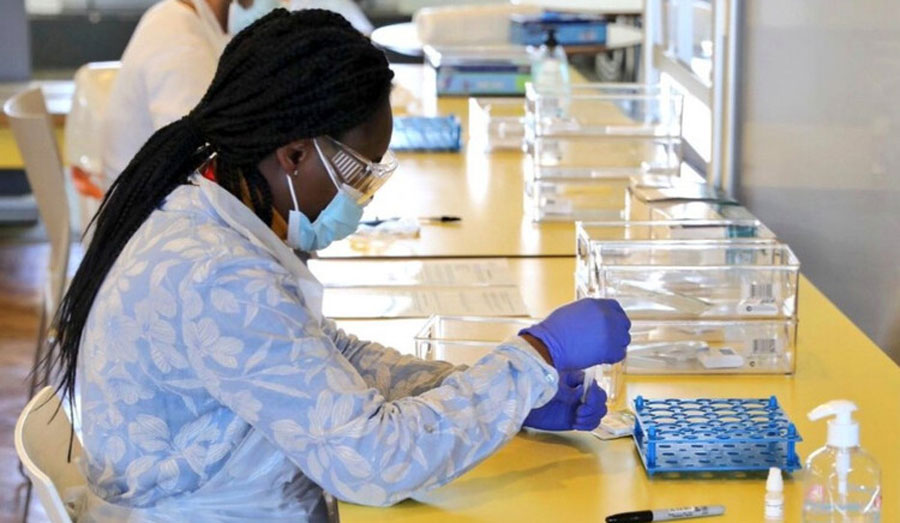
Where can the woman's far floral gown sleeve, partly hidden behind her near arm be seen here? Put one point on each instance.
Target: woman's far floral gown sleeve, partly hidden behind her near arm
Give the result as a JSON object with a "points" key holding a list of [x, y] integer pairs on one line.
{"points": [[395, 375]]}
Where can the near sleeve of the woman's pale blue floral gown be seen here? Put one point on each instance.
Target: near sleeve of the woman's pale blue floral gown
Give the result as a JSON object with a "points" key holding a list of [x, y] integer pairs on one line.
{"points": [[260, 352]]}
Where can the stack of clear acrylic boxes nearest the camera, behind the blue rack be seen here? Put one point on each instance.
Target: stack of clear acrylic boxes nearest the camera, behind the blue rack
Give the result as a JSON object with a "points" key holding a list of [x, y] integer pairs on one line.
{"points": [[705, 296]]}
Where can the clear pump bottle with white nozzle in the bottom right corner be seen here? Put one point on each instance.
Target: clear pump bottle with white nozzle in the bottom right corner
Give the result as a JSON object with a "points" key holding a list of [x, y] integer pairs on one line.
{"points": [[842, 482]]}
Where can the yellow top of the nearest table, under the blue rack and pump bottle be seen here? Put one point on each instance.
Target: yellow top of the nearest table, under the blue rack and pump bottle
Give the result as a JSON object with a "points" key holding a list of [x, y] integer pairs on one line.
{"points": [[576, 477]]}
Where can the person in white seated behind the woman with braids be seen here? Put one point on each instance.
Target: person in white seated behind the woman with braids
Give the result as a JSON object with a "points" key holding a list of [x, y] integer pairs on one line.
{"points": [[166, 68]]}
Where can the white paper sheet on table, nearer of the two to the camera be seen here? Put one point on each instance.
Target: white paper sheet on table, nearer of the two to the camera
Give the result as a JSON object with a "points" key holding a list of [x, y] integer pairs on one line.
{"points": [[412, 302]]}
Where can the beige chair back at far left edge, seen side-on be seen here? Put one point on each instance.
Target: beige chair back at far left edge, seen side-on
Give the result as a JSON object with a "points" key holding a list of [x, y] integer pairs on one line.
{"points": [[33, 129]]}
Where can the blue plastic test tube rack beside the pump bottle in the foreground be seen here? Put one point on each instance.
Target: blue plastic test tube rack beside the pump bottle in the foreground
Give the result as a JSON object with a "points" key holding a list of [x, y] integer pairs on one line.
{"points": [[714, 435]]}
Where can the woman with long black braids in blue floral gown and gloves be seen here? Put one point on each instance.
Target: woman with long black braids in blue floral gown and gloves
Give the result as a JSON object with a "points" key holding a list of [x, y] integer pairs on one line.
{"points": [[209, 386]]}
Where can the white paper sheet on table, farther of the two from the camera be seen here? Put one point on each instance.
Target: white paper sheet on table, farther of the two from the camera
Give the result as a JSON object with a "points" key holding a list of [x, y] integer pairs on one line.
{"points": [[430, 273]]}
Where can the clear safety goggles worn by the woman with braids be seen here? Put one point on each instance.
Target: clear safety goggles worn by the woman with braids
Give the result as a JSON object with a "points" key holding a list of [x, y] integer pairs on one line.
{"points": [[349, 168]]}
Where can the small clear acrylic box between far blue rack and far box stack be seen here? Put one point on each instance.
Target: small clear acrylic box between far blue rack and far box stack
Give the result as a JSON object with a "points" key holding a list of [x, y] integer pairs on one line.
{"points": [[496, 123]]}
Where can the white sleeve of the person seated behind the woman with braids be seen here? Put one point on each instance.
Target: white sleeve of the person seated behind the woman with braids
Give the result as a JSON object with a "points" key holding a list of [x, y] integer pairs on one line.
{"points": [[176, 79]]}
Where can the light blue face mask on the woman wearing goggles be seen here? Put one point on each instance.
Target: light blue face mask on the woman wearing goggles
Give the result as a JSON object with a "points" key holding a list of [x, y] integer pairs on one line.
{"points": [[339, 219]]}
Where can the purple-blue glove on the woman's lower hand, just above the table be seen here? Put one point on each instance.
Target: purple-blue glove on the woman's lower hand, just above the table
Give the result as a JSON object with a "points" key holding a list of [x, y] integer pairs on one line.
{"points": [[566, 411]]}
